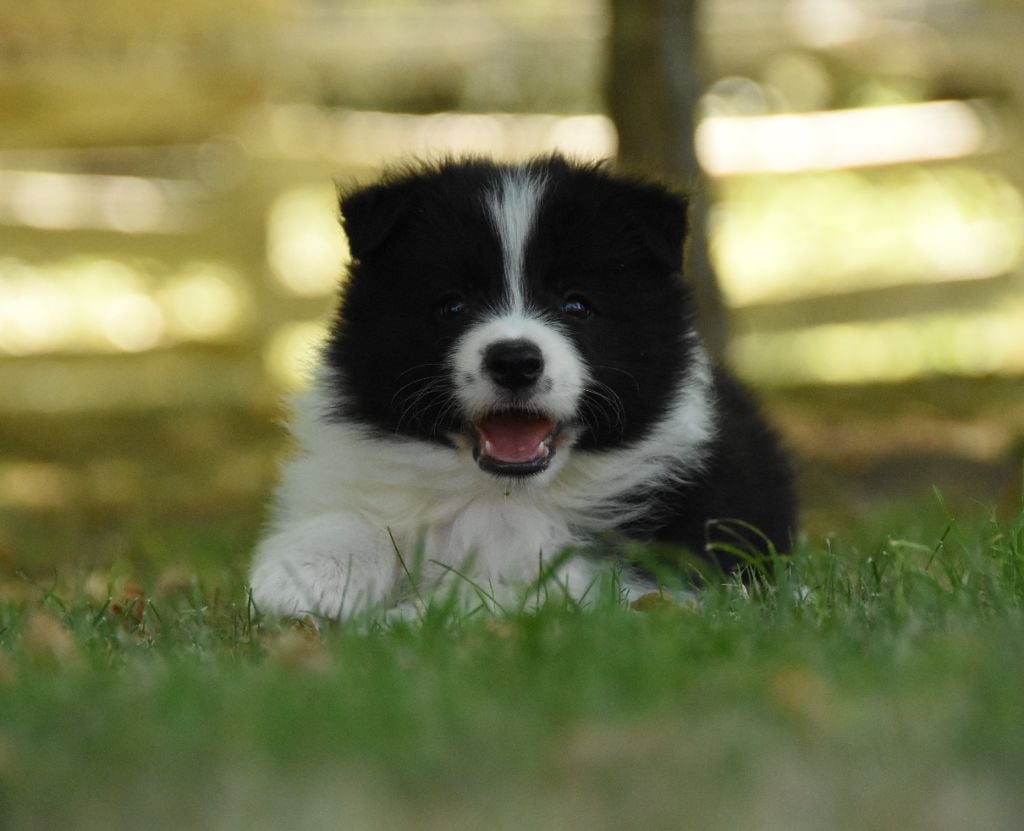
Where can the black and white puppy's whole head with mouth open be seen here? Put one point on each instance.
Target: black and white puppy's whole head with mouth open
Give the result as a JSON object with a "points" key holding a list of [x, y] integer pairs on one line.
{"points": [[516, 314]]}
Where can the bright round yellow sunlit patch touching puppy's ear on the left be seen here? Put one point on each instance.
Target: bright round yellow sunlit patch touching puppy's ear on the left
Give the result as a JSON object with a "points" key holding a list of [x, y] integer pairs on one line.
{"points": [[307, 247]]}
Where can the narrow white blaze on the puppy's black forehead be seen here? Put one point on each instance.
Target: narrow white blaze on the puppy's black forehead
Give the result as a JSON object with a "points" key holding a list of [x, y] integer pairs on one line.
{"points": [[514, 204]]}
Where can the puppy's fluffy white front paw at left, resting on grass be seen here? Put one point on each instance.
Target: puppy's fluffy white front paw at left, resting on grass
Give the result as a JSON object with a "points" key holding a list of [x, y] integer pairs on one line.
{"points": [[332, 565]]}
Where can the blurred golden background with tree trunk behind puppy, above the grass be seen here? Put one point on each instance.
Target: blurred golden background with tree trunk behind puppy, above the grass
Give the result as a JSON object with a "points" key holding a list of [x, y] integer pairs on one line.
{"points": [[169, 246]]}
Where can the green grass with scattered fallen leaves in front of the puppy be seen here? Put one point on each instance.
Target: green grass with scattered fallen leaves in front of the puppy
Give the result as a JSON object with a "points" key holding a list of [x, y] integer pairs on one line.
{"points": [[874, 686]]}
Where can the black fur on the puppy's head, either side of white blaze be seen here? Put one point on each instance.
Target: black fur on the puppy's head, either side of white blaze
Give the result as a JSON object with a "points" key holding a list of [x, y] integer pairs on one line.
{"points": [[424, 239]]}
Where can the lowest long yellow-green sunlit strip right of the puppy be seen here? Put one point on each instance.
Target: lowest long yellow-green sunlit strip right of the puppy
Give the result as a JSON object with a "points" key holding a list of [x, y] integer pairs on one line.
{"points": [[889, 351]]}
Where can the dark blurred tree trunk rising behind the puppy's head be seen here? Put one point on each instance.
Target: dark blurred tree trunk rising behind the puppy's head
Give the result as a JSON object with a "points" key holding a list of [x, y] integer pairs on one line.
{"points": [[653, 88]]}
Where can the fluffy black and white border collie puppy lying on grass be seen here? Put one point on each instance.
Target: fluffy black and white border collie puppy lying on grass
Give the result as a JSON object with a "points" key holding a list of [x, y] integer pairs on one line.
{"points": [[514, 374]]}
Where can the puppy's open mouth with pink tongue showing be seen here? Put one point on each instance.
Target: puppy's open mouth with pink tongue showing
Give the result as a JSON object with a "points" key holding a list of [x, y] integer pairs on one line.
{"points": [[515, 443]]}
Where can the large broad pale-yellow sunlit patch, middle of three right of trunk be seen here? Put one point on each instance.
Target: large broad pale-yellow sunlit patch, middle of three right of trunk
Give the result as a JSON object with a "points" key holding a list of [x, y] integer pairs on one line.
{"points": [[781, 239]]}
